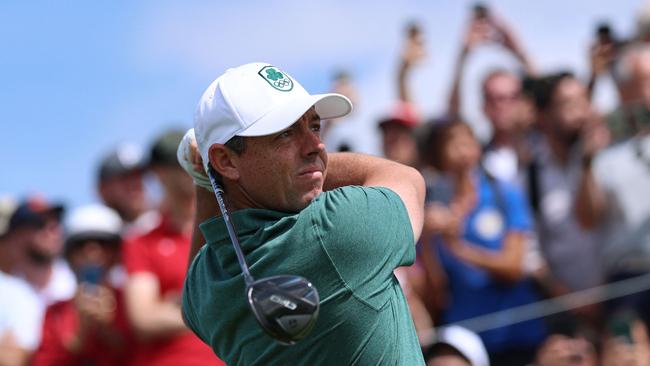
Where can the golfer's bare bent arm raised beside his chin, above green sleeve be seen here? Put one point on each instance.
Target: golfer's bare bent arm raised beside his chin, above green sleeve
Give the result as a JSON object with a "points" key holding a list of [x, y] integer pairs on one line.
{"points": [[357, 169]]}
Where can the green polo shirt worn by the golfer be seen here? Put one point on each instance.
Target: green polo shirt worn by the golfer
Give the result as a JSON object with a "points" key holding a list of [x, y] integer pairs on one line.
{"points": [[347, 242]]}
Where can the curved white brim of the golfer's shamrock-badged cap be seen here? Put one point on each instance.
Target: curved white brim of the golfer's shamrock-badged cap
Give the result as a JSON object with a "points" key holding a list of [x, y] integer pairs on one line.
{"points": [[328, 106]]}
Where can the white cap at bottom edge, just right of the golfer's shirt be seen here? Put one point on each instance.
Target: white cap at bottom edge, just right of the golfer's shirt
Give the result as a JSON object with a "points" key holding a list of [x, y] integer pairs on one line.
{"points": [[468, 343]]}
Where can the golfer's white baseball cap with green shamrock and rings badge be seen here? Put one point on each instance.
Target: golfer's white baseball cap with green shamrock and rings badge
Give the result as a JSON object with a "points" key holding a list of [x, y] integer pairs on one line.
{"points": [[257, 99]]}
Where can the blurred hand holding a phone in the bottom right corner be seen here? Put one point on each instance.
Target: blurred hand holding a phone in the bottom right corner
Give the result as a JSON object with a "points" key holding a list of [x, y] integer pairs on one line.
{"points": [[617, 352]]}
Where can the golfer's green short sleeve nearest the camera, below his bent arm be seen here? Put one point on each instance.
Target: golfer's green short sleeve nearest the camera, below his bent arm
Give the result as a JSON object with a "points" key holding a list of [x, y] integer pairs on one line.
{"points": [[367, 233]]}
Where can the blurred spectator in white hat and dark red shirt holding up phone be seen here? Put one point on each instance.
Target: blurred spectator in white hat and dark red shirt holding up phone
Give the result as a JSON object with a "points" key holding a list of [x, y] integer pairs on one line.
{"points": [[92, 328]]}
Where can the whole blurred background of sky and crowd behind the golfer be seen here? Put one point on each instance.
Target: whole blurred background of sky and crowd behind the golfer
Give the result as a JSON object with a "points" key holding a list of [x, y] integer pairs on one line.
{"points": [[529, 120]]}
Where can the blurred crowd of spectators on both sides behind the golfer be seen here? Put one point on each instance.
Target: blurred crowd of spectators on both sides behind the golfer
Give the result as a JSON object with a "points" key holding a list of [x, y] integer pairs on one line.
{"points": [[554, 203]]}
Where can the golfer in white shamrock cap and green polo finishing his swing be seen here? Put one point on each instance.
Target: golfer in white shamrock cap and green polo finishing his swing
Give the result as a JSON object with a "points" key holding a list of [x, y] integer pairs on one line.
{"points": [[320, 233]]}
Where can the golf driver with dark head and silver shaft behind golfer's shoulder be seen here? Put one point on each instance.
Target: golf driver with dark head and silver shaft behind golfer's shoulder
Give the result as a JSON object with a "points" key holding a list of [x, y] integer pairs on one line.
{"points": [[285, 306]]}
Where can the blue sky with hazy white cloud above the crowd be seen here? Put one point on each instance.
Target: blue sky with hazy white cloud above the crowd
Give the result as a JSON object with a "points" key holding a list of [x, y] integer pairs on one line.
{"points": [[79, 78]]}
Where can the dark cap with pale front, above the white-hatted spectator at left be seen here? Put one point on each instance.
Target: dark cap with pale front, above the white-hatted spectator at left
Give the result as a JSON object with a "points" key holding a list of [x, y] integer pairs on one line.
{"points": [[122, 160]]}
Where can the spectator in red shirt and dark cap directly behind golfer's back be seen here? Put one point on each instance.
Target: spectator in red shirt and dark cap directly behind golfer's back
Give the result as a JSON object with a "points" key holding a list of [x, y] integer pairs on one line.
{"points": [[157, 264]]}
